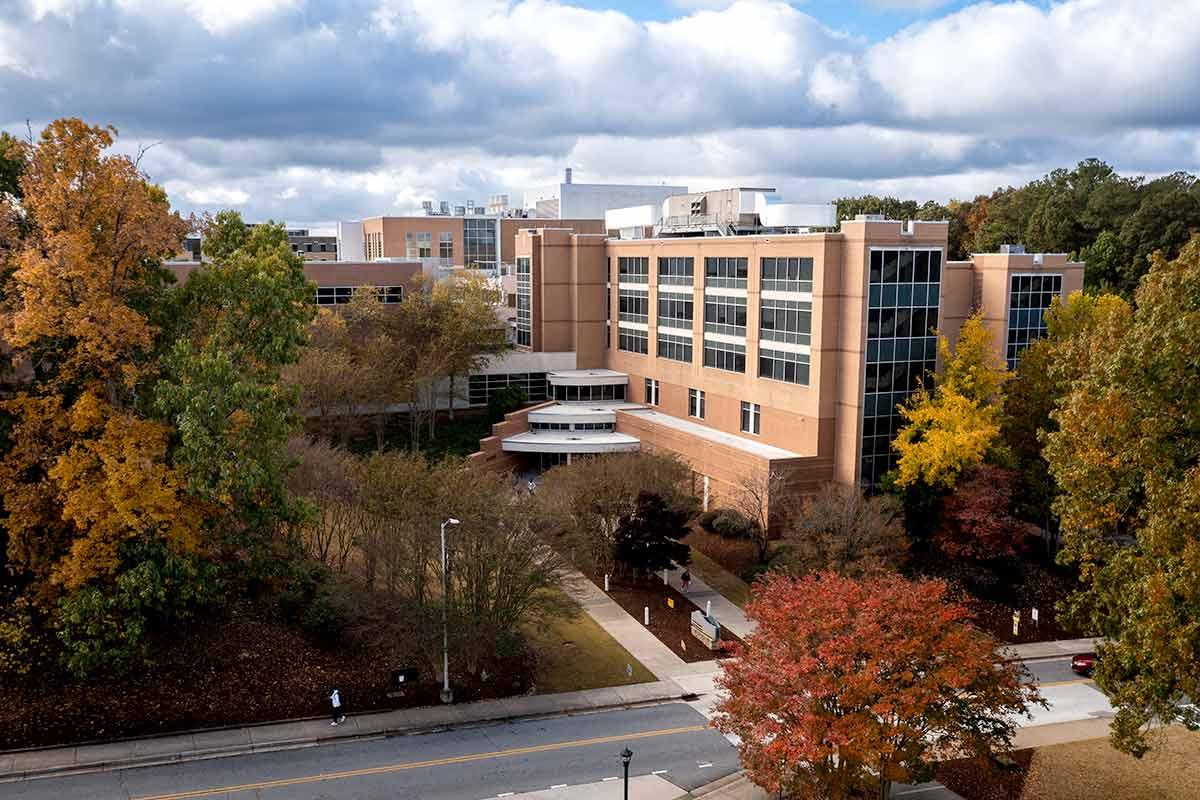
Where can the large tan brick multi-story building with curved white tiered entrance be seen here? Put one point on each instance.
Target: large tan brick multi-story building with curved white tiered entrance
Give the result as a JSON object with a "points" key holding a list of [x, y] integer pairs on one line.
{"points": [[749, 354]]}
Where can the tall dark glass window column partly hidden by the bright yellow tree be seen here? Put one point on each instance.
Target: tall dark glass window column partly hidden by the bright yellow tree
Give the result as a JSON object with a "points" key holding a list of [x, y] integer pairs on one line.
{"points": [[904, 291]]}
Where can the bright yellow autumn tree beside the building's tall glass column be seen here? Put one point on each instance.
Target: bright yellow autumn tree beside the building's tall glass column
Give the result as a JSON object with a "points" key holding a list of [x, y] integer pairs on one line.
{"points": [[950, 430]]}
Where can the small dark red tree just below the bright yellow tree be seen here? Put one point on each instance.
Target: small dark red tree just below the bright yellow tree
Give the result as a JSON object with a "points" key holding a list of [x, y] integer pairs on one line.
{"points": [[977, 520]]}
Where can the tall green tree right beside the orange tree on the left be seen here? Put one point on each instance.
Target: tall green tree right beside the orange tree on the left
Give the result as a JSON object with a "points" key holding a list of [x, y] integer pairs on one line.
{"points": [[242, 320]]}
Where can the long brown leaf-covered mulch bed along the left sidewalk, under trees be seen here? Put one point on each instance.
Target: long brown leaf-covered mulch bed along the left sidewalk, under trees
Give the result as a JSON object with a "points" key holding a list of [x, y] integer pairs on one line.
{"points": [[249, 666]]}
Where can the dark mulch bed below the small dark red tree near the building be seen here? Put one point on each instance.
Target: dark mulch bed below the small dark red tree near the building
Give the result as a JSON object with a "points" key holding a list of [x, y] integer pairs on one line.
{"points": [[993, 599]]}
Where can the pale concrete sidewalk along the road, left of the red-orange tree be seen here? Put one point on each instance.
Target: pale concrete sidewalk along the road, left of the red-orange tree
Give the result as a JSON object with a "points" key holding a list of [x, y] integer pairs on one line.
{"points": [[296, 735]]}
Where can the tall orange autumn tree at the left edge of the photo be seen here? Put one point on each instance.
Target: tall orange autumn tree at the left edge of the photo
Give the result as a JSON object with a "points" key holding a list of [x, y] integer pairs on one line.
{"points": [[87, 471]]}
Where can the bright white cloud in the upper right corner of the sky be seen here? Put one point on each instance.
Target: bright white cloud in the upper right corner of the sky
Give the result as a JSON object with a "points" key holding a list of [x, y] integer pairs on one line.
{"points": [[1016, 67]]}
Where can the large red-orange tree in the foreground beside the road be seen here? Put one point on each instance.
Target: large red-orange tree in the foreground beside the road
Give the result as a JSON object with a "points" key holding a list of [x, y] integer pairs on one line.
{"points": [[850, 685]]}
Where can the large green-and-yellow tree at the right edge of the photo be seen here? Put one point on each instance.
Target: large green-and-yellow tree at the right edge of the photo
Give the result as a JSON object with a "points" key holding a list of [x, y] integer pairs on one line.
{"points": [[1126, 458]]}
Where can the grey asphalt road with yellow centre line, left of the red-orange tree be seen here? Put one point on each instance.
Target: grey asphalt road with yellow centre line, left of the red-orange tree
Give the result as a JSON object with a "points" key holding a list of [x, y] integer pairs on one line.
{"points": [[467, 765]]}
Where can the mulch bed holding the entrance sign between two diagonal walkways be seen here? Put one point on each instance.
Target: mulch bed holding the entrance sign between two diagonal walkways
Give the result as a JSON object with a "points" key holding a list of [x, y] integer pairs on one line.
{"points": [[671, 627]]}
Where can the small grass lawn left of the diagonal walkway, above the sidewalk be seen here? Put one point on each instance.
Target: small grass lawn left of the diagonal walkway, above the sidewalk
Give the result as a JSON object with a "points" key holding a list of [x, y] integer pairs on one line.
{"points": [[575, 653]]}
